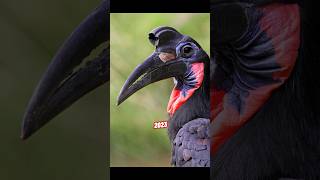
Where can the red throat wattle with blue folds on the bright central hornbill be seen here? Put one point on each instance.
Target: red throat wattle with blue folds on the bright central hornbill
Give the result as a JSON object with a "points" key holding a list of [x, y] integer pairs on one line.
{"points": [[180, 95]]}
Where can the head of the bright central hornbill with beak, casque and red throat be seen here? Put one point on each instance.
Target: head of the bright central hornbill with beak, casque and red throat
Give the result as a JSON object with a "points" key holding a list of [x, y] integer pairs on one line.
{"points": [[176, 55]]}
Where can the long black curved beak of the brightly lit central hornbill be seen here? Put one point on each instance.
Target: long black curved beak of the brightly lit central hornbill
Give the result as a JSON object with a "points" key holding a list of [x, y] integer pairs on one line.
{"points": [[151, 70]]}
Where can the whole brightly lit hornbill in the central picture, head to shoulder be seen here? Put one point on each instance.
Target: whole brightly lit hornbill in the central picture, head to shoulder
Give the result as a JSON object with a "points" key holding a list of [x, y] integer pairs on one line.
{"points": [[181, 57]]}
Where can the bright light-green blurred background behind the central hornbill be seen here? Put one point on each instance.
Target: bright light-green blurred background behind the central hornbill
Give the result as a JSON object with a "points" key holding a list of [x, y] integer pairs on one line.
{"points": [[134, 142]]}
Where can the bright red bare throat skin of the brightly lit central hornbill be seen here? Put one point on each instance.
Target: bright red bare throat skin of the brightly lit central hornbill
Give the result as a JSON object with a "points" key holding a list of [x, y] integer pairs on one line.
{"points": [[177, 99]]}
